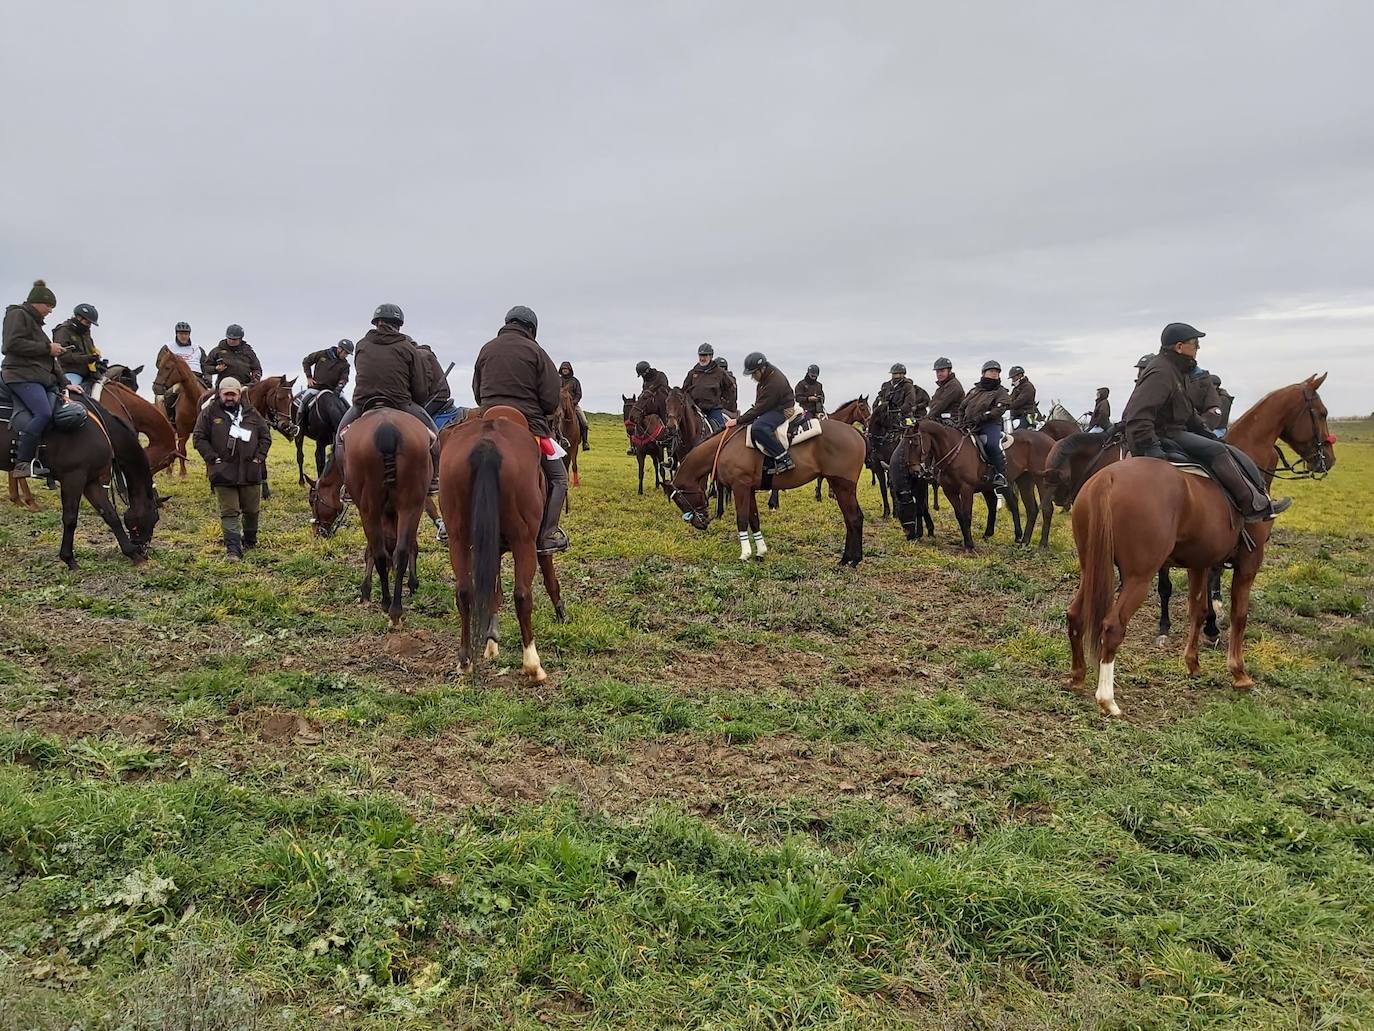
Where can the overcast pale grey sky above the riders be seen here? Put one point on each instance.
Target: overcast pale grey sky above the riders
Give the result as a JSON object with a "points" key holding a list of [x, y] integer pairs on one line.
{"points": [[848, 185]]}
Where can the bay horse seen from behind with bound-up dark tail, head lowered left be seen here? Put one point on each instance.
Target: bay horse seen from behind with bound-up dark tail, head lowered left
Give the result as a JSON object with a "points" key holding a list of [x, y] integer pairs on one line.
{"points": [[388, 475]]}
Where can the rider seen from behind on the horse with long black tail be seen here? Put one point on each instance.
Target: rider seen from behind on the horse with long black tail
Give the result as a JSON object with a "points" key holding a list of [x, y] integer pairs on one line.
{"points": [[515, 370]]}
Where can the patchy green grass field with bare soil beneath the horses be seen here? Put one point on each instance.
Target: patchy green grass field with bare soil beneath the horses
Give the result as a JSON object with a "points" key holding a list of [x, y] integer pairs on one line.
{"points": [[778, 795]]}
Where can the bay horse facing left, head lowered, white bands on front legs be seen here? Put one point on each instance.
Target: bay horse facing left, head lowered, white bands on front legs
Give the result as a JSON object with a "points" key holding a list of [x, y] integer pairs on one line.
{"points": [[836, 456]]}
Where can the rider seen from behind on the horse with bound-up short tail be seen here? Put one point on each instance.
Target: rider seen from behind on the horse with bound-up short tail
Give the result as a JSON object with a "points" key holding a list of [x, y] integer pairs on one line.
{"points": [[391, 375]]}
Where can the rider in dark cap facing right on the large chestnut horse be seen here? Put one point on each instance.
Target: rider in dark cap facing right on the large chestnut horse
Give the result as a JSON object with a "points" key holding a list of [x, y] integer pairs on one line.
{"points": [[1160, 413]]}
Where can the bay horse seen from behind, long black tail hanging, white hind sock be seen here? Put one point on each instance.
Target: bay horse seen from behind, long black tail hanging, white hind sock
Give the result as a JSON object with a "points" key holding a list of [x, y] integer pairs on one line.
{"points": [[493, 498]]}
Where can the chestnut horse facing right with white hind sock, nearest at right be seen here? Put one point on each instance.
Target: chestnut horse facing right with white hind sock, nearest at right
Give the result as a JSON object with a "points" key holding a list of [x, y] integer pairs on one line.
{"points": [[1142, 513]]}
